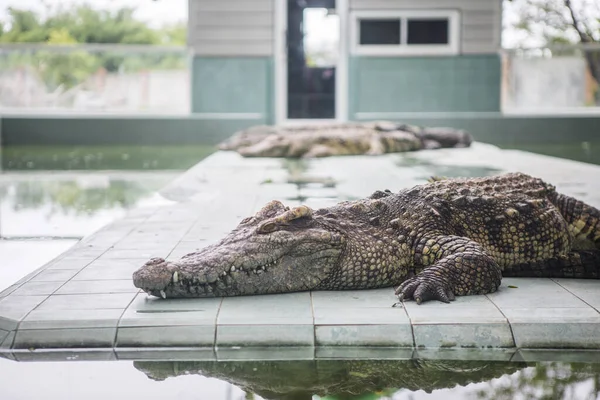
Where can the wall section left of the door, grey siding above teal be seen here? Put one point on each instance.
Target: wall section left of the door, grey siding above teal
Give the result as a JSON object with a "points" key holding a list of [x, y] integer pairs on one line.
{"points": [[232, 65]]}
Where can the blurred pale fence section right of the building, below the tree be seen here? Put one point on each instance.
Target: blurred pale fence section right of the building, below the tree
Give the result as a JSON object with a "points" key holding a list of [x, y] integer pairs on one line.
{"points": [[551, 79]]}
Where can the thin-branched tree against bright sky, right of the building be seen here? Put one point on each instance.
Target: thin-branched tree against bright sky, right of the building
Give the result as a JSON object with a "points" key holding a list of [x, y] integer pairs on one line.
{"points": [[562, 22]]}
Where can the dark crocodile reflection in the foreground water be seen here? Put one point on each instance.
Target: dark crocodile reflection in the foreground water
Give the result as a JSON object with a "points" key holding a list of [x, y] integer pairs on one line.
{"points": [[352, 379]]}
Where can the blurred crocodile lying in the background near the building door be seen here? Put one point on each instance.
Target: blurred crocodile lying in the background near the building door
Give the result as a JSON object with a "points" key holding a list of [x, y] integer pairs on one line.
{"points": [[353, 138]]}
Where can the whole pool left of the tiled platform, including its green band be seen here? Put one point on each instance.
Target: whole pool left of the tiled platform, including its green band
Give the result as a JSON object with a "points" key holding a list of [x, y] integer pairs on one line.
{"points": [[52, 196]]}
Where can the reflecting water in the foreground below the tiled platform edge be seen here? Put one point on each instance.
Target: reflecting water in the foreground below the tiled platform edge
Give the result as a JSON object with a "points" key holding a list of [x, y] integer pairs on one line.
{"points": [[300, 379]]}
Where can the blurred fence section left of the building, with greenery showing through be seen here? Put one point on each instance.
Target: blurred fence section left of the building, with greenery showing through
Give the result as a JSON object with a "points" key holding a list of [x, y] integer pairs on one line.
{"points": [[94, 78]]}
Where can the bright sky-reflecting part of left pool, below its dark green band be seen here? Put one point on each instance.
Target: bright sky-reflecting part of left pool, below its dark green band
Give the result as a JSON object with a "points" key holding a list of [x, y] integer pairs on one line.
{"points": [[43, 214]]}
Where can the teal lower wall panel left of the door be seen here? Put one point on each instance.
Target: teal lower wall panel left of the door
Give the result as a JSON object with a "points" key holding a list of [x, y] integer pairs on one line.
{"points": [[233, 85]]}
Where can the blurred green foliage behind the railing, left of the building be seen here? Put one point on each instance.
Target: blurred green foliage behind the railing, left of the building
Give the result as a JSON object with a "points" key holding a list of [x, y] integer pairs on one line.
{"points": [[84, 24]]}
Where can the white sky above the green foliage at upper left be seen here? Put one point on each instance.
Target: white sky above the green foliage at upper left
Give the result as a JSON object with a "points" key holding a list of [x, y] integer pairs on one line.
{"points": [[156, 13]]}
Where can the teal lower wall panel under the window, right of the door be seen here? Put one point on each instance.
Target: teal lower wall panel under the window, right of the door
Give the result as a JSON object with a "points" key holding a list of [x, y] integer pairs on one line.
{"points": [[424, 84]]}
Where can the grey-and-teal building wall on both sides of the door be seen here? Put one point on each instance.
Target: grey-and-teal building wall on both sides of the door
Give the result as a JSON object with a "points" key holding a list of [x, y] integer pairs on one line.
{"points": [[232, 42]]}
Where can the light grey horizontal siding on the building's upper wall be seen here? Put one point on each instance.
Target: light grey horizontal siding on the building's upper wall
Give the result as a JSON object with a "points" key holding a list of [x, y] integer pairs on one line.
{"points": [[245, 27]]}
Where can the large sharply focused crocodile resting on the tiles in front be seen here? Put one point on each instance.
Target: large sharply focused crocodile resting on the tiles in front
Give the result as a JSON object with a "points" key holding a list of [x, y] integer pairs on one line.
{"points": [[434, 241]]}
